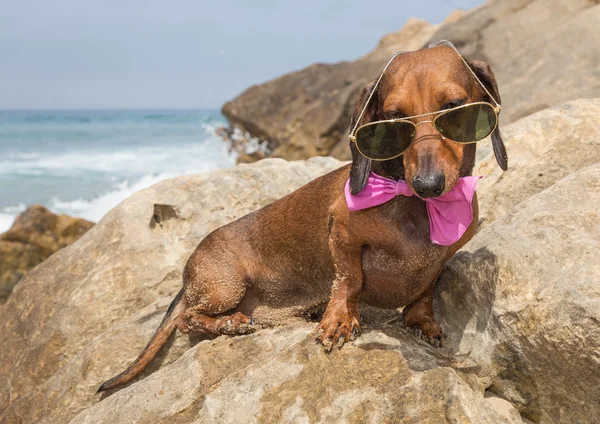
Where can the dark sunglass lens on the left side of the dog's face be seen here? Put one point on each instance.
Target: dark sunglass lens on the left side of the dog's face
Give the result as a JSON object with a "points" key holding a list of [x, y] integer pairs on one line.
{"points": [[384, 140]]}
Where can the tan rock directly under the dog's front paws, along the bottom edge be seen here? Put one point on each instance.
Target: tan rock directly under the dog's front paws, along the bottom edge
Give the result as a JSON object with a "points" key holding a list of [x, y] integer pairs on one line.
{"points": [[282, 375]]}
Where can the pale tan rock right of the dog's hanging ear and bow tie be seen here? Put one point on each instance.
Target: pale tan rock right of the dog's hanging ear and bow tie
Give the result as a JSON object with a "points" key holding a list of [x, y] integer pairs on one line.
{"points": [[542, 149]]}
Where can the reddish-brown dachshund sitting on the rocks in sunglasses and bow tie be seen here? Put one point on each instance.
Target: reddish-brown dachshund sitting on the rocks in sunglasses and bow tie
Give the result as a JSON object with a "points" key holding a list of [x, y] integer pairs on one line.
{"points": [[307, 250]]}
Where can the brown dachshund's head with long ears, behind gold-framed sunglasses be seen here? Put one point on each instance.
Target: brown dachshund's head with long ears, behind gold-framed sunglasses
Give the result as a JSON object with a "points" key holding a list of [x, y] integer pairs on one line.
{"points": [[418, 83]]}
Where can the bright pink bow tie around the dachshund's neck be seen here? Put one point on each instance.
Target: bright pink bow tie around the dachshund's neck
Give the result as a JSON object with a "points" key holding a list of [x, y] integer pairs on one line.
{"points": [[449, 214]]}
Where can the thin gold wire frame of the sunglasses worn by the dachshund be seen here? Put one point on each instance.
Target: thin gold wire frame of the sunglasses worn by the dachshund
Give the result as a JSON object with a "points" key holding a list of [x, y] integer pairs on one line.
{"points": [[497, 108]]}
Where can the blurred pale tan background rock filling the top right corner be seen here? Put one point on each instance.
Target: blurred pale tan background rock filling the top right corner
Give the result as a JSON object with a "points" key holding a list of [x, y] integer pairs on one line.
{"points": [[538, 49]]}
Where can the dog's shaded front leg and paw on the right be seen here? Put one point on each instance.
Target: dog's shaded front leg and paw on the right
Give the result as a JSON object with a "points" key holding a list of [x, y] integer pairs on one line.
{"points": [[418, 318]]}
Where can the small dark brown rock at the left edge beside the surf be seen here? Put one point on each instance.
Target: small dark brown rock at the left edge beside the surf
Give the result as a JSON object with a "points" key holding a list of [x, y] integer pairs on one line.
{"points": [[35, 235]]}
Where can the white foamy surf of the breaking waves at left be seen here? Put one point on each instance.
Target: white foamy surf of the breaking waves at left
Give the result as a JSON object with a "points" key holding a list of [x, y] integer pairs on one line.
{"points": [[130, 170]]}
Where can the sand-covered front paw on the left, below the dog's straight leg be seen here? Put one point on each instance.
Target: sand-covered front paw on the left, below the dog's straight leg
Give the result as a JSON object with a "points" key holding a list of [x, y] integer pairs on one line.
{"points": [[337, 327]]}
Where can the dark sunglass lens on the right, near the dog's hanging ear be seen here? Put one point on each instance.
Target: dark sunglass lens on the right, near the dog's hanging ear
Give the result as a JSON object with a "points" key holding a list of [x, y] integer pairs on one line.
{"points": [[467, 124]]}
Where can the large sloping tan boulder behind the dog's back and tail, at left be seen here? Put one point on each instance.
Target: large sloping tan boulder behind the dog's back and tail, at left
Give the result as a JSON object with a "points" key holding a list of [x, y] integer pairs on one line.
{"points": [[85, 311]]}
